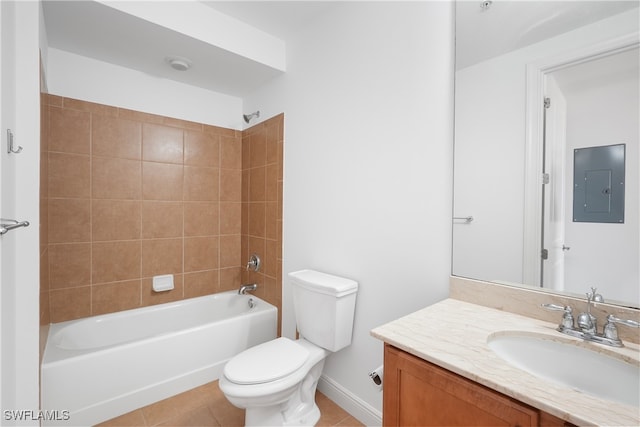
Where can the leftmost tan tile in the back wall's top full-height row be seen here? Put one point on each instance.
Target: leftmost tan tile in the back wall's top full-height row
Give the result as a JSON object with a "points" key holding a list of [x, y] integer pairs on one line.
{"points": [[69, 130]]}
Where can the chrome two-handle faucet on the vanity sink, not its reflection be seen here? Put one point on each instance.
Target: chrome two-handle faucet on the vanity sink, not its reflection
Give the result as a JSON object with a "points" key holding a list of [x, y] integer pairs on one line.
{"points": [[587, 323]]}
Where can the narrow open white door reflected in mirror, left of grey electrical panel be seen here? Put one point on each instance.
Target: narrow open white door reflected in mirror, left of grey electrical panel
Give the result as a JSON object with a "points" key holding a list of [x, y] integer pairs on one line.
{"points": [[554, 190]]}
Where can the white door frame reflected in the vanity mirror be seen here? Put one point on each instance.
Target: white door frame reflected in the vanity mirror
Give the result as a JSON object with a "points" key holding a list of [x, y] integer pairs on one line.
{"points": [[534, 95]]}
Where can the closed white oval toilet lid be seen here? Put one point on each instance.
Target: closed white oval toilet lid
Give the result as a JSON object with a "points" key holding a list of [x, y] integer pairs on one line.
{"points": [[266, 362]]}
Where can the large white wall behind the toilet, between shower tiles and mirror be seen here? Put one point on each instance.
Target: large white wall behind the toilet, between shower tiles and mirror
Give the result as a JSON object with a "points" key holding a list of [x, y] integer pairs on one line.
{"points": [[368, 166]]}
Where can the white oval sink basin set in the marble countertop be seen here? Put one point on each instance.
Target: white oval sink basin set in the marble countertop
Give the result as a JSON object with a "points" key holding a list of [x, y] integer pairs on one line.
{"points": [[569, 363]]}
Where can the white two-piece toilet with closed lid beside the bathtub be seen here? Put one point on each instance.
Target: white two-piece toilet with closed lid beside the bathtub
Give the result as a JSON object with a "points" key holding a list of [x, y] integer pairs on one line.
{"points": [[276, 381]]}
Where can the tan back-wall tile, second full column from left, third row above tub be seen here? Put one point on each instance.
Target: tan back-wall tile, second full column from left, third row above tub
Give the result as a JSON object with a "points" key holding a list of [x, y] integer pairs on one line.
{"points": [[115, 220]]}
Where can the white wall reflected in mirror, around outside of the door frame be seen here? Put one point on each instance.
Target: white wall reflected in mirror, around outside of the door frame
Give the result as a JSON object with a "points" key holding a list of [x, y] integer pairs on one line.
{"points": [[490, 156]]}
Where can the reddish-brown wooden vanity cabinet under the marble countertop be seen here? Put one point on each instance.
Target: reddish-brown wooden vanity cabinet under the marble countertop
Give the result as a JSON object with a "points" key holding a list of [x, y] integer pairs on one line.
{"points": [[419, 393]]}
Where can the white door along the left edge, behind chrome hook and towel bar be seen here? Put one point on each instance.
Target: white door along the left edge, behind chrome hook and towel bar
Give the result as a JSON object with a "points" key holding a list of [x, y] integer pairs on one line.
{"points": [[19, 199]]}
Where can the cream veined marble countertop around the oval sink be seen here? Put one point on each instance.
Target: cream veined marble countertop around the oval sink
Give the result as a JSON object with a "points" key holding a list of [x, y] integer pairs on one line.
{"points": [[453, 334]]}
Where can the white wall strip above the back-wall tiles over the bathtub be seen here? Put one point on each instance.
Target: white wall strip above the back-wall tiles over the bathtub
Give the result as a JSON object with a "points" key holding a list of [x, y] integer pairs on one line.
{"points": [[79, 77]]}
